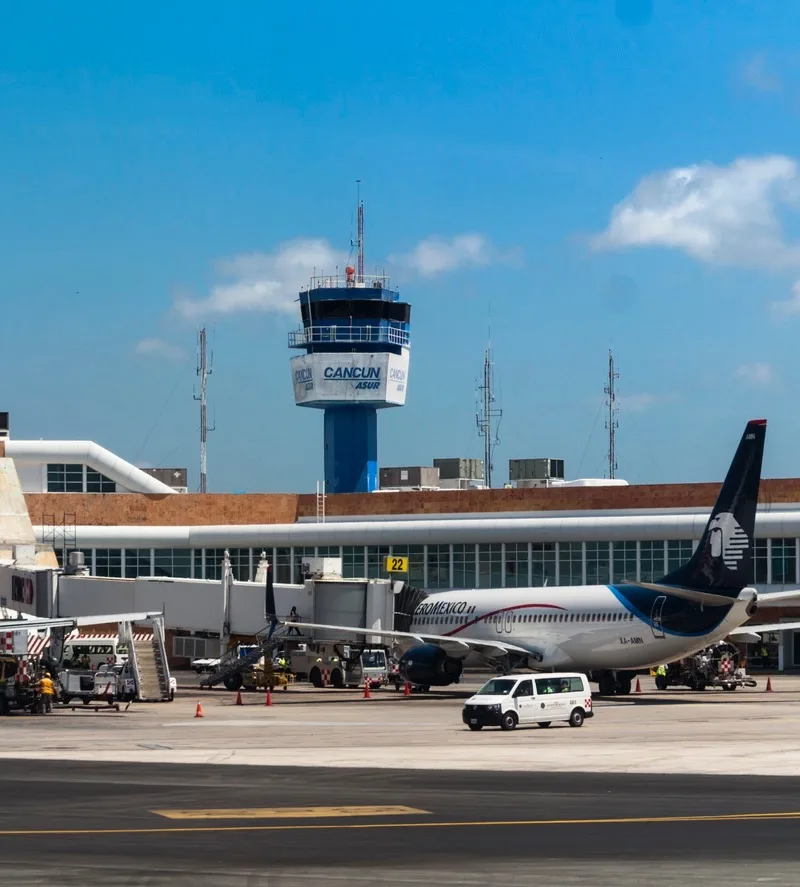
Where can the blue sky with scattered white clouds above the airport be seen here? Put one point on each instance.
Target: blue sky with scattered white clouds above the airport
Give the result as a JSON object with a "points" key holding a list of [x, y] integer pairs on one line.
{"points": [[601, 174]]}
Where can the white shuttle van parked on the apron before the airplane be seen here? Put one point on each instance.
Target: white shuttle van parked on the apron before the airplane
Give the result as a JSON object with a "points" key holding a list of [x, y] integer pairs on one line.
{"points": [[530, 699]]}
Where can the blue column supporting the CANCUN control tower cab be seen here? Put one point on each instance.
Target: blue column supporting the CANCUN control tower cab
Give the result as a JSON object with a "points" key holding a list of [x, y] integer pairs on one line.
{"points": [[351, 449]]}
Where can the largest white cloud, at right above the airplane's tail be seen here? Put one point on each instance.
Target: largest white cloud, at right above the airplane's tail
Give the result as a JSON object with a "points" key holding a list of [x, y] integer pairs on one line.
{"points": [[721, 214]]}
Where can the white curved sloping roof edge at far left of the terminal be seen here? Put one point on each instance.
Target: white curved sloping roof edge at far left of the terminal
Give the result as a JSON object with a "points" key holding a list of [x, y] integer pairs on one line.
{"points": [[86, 452]]}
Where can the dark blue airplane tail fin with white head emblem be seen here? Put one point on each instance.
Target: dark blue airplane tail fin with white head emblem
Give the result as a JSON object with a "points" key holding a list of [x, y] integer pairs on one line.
{"points": [[723, 560]]}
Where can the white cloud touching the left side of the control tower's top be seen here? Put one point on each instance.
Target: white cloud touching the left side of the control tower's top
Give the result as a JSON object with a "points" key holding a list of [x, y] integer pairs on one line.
{"points": [[264, 281]]}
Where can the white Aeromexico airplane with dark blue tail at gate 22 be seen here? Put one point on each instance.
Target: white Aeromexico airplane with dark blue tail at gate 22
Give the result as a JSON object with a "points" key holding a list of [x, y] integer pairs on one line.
{"points": [[610, 632]]}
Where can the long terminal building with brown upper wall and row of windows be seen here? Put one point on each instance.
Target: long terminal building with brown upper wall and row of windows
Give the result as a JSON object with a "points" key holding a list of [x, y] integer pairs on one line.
{"points": [[129, 524]]}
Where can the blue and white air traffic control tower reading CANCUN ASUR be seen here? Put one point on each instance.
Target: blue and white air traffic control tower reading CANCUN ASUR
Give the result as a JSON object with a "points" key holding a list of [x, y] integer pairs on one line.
{"points": [[356, 335]]}
